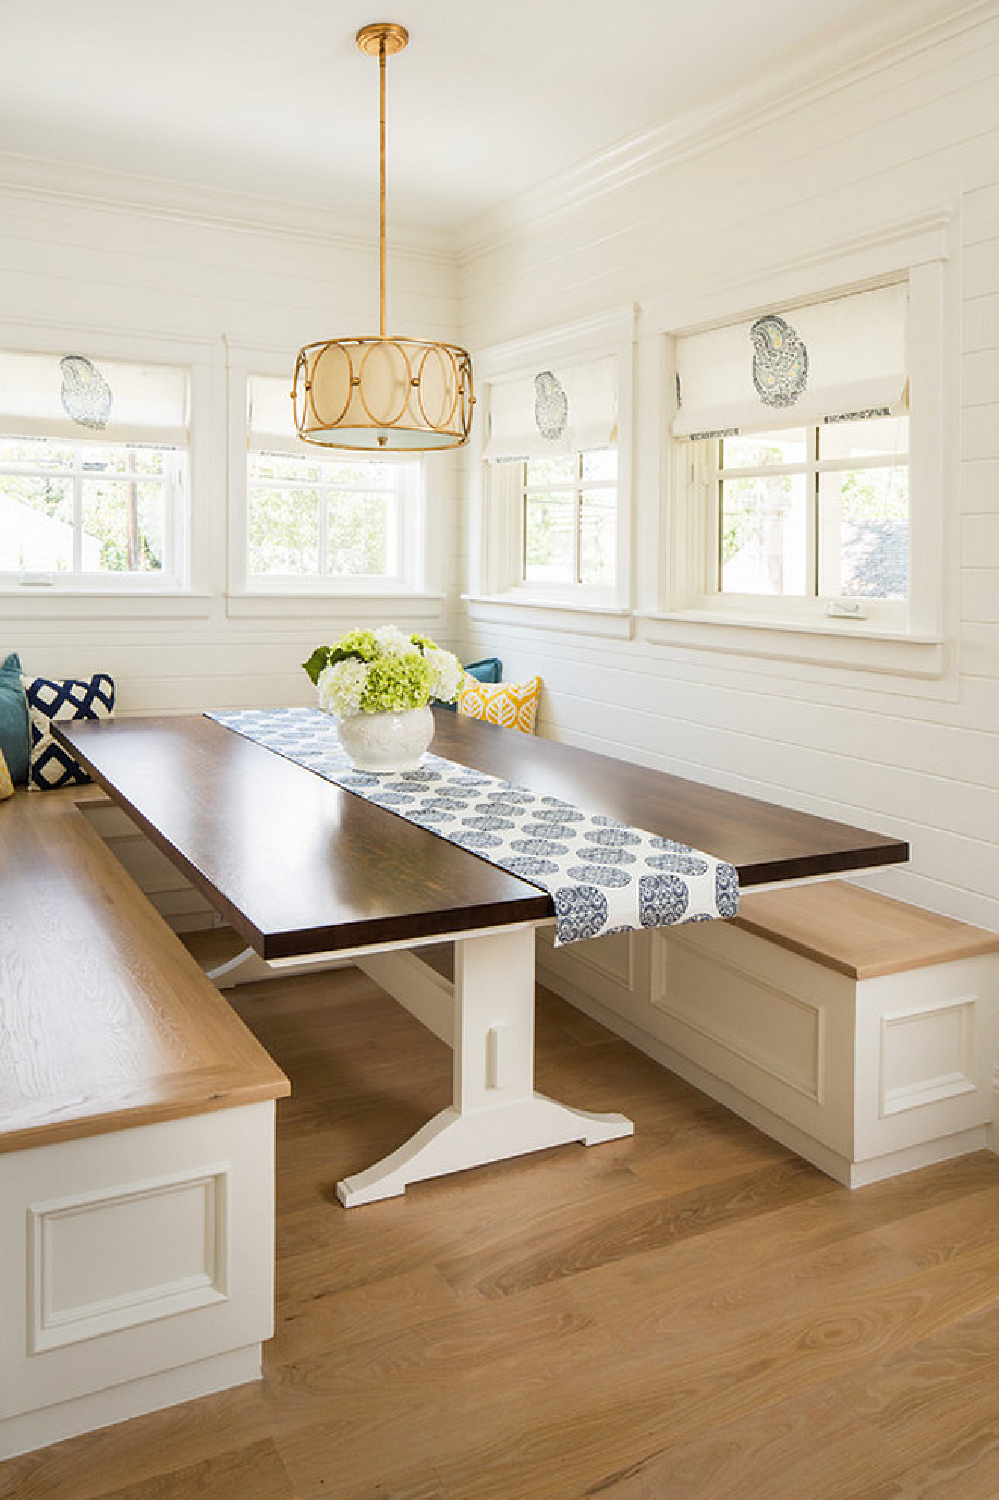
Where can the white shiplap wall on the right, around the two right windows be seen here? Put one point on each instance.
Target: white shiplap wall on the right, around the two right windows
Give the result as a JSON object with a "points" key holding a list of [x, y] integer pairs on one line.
{"points": [[917, 136]]}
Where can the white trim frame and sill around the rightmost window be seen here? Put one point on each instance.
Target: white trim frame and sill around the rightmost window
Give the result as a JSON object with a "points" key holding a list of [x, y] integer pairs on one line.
{"points": [[674, 605]]}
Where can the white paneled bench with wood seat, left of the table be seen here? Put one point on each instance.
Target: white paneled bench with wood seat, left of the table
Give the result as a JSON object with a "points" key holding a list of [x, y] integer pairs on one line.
{"points": [[137, 1138]]}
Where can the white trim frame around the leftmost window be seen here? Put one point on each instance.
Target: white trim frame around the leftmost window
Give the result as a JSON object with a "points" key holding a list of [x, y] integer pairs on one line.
{"points": [[131, 596]]}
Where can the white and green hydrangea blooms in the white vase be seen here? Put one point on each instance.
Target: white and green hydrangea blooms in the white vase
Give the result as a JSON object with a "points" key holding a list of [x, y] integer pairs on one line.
{"points": [[383, 671]]}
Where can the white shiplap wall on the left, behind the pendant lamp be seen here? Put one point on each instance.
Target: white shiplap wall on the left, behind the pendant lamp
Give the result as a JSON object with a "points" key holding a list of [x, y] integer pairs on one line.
{"points": [[97, 259]]}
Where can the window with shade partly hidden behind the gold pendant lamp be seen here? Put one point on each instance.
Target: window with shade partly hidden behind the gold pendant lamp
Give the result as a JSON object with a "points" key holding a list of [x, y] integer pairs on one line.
{"points": [[323, 521]]}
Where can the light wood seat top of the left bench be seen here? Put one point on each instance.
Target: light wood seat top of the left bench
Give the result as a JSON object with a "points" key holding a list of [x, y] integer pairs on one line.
{"points": [[107, 1021]]}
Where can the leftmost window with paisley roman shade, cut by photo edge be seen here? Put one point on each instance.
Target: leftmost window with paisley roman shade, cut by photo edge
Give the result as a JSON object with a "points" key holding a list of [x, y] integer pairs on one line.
{"points": [[94, 472]]}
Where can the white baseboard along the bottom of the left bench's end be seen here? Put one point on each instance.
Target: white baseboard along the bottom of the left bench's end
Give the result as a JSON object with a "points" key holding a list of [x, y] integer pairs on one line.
{"points": [[31, 1430]]}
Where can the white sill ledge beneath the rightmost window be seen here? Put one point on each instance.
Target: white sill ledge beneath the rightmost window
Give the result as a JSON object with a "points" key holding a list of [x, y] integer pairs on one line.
{"points": [[842, 644]]}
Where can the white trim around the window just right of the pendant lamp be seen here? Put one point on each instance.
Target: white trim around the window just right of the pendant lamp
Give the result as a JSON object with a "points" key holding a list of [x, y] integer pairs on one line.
{"points": [[497, 590]]}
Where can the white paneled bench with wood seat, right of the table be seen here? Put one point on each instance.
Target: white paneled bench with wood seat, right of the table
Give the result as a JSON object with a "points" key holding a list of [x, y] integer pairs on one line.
{"points": [[856, 1030]]}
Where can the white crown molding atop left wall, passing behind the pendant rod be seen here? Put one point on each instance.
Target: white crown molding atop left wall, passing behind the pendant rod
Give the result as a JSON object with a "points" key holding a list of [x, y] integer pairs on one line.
{"points": [[109, 191]]}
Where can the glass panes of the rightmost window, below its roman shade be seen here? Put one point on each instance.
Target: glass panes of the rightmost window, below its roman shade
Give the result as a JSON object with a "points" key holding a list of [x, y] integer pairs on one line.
{"points": [[815, 512]]}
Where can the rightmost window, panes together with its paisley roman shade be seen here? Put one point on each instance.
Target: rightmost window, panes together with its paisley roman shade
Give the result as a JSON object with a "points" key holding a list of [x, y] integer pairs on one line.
{"points": [[794, 437]]}
